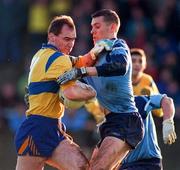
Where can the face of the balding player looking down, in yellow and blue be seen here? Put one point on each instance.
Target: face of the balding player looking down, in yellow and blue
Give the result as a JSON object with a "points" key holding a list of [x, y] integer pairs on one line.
{"points": [[66, 39]]}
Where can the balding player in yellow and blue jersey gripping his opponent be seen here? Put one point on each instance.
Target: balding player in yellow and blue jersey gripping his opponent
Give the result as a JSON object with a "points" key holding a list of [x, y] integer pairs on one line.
{"points": [[41, 138]]}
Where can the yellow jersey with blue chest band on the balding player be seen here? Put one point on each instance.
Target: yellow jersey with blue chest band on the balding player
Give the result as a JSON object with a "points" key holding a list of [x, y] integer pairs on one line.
{"points": [[47, 64]]}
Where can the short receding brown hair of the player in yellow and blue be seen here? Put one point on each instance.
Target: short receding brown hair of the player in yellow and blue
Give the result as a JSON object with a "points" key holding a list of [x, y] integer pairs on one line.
{"points": [[58, 22]]}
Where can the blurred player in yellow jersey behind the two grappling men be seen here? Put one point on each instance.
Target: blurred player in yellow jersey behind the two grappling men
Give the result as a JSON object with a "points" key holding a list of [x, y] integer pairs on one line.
{"points": [[143, 84]]}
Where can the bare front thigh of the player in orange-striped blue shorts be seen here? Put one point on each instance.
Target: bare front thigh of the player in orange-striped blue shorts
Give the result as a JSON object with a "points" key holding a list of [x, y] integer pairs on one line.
{"points": [[68, 156]]}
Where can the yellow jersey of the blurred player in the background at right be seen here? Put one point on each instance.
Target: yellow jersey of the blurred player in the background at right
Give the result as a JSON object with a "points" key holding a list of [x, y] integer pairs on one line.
{"points": [[147, 86]]}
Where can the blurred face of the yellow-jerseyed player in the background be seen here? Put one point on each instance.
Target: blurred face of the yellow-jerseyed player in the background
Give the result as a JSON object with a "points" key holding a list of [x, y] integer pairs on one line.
{"points": [[138, 64]]}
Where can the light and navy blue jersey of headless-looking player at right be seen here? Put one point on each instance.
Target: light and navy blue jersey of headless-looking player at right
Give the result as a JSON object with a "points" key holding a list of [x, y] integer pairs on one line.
{"points": [[148, 148]]}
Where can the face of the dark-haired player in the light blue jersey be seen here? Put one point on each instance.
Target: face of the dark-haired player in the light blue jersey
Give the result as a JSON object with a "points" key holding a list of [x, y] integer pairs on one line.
{"points": [[100, 29]]}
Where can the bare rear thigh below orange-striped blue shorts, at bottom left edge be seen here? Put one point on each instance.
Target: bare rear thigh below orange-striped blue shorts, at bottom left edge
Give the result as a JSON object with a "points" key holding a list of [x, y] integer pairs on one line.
{"points": [[30, 163]]}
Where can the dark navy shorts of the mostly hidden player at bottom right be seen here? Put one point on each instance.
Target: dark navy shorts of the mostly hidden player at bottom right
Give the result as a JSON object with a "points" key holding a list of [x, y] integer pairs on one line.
{"points": [[144, 164]]}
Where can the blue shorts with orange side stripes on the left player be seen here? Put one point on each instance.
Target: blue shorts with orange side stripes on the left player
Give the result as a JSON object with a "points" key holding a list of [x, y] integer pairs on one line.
{"points": [[39, 136]]}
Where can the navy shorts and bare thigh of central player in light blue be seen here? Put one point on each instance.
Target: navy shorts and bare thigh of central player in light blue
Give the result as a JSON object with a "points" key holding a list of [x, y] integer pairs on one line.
{"points": [[117, 129]]}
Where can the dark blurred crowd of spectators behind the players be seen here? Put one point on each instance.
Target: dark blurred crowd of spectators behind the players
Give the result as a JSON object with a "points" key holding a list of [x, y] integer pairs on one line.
{"points": [[153, 25]]}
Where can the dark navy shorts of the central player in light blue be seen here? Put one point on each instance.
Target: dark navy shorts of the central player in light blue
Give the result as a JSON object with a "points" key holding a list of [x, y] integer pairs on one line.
{"points": [[125, 126]]}
